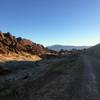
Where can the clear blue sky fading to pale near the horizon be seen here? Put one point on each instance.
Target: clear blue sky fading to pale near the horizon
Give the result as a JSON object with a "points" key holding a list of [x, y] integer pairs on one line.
{"points": [[49, 22]]}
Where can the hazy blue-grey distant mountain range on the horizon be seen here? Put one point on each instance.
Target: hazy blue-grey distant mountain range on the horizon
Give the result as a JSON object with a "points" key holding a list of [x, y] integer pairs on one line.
{"points": [[66, 47]]}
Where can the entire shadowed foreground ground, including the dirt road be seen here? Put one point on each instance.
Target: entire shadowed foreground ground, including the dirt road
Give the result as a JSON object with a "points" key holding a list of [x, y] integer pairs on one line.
{"points": [[66, 78]]}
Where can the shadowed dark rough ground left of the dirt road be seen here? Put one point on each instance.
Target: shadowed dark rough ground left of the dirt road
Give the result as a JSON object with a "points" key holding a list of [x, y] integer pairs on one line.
{"points": [[53, 79]]}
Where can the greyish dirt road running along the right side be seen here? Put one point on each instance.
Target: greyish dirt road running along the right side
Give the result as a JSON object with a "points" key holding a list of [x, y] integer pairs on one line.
{"points": [[89, 87]]}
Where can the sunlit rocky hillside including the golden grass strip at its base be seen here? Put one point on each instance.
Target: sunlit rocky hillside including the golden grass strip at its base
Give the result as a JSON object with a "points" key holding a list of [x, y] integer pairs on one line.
{"points": [[12, 48]]}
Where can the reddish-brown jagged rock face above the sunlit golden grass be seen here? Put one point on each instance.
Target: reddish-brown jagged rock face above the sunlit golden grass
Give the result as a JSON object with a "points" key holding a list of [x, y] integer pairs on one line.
{"points": [[9, 43]]}
